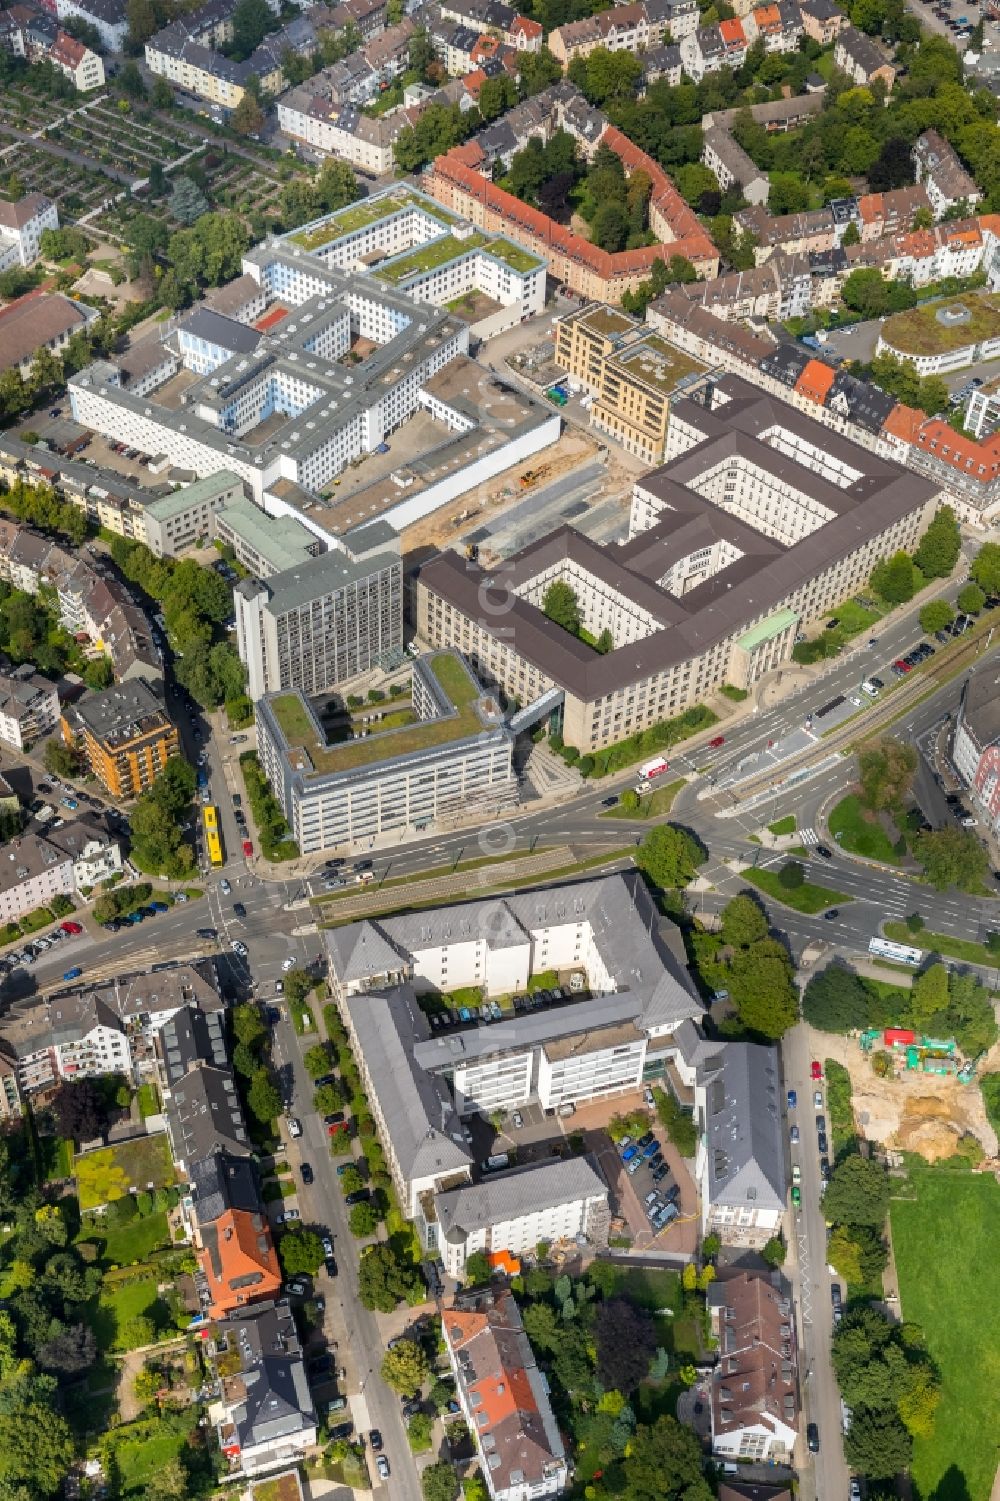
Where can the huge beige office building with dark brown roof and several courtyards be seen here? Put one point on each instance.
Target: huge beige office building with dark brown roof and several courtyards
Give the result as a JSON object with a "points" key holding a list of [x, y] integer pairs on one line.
{"points": [[761, 522]]}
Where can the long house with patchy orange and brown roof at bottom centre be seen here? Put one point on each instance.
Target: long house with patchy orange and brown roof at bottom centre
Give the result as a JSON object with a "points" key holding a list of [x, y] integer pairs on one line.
{"points": [[504, 1398]]}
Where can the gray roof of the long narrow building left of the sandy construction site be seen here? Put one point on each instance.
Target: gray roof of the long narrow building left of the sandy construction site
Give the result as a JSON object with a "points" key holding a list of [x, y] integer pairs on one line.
{"points": [[744, 1137]]}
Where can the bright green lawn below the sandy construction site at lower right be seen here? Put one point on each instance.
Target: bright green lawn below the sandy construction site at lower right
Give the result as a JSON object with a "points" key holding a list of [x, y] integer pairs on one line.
{"points": [[945, 1242]]}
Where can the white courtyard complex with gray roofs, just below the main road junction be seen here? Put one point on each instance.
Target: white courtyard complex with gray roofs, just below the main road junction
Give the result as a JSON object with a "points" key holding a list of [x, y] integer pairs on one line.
{"points": [[604, 931]]}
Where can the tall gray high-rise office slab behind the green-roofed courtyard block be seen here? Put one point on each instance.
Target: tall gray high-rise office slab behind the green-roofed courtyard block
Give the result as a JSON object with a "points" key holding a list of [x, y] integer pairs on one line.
{"points": [[325, 621]]}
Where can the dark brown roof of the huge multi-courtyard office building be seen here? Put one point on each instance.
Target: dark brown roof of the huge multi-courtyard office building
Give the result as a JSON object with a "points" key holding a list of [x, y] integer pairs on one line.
{"points": [[735, 598]]}
